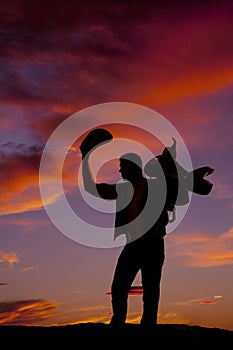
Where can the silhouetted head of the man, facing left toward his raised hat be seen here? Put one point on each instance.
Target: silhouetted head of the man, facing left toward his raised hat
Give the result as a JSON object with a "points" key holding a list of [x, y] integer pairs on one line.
{"points": [[131, 166]]}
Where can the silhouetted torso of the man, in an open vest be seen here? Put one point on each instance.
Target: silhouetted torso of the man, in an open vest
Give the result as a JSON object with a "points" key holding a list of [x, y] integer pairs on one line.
{"points": [[144, 213]]}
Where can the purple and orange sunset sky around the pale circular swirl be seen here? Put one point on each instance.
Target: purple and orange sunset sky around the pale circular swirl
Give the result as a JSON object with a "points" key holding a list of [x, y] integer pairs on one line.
{"points": [[59, 58]]}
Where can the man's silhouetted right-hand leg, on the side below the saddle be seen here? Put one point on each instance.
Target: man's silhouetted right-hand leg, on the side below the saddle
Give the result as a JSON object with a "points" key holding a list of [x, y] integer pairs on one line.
{"points": [[151, 271]]}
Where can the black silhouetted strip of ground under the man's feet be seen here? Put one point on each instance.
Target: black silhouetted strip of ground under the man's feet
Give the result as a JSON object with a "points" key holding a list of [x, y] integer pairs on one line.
{"points": [[89, 335]]}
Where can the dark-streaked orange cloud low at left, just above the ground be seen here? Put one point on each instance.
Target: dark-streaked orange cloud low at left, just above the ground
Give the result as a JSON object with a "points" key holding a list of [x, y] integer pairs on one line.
{"points": [[26, 312]]}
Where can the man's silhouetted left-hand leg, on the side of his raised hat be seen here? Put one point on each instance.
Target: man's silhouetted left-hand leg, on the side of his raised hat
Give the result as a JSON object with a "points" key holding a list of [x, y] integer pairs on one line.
{"points": [[125, 272]]}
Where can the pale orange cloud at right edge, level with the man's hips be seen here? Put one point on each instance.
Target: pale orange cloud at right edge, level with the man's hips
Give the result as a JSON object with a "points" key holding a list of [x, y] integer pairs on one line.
{"points": [[199, 250]]}
